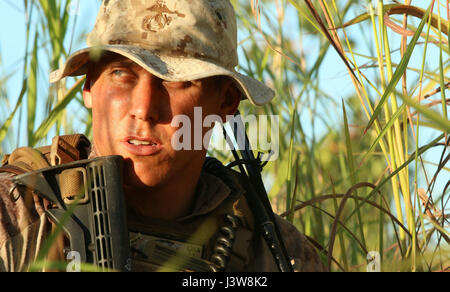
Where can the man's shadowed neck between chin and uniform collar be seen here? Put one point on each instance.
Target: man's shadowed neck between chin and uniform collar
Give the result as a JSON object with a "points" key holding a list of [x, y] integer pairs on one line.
{"points": [[168, 201]]}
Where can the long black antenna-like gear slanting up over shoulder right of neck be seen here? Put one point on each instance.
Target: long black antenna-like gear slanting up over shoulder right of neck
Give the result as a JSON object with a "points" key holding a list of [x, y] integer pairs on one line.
{"points": [[256, 195]]}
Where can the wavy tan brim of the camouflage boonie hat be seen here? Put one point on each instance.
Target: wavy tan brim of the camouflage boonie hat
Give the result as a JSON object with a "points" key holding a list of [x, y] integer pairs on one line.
{"points": [[168, 68]]}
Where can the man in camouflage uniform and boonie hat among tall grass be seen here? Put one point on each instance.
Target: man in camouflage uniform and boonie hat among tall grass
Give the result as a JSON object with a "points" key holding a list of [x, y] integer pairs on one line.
{"points": [[147, 63]]}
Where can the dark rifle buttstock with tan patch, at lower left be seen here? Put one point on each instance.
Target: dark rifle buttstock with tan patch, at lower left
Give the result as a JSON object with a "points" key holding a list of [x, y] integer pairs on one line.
{"points": [[93, 219]]}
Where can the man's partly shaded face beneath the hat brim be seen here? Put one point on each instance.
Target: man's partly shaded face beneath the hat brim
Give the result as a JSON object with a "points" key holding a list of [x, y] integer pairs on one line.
{"points": [[132, 115]]}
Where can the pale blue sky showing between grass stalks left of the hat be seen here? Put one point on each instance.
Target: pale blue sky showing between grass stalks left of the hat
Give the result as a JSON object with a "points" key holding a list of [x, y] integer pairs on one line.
{"points": [[12, 48]]}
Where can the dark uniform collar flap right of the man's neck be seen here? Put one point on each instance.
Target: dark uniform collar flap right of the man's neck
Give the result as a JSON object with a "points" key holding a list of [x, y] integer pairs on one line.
{"points": [[210, 193]]}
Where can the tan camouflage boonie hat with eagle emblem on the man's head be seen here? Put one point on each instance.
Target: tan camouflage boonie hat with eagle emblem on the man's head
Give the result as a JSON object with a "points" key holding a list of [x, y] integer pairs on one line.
{"points": [[175, 40]]}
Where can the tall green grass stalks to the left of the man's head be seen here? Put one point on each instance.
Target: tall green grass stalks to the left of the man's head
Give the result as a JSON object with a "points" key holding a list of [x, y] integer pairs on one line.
{"points": [[41, 108]]}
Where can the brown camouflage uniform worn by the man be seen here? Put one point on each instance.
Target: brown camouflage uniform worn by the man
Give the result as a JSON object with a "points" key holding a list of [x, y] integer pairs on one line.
{"points": [[24, 228]]}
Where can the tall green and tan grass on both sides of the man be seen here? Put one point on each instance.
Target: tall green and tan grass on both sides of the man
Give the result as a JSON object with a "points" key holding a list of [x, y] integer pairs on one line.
{"points": [[363, 160]]}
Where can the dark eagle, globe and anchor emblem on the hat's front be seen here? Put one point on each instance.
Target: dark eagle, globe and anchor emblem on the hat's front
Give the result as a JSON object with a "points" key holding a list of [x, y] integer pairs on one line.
{"points": [[160, 17]]}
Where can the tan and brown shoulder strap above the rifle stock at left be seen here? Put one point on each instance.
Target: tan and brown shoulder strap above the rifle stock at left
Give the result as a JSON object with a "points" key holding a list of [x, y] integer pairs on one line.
{"points": [[64, 149]]}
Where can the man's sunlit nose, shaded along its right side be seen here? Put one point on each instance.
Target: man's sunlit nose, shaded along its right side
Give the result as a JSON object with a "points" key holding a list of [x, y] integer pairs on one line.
{"points": [[146, 99]]}
